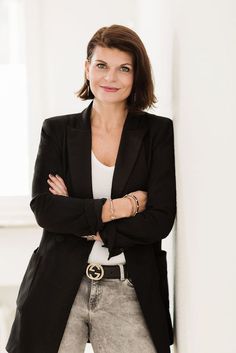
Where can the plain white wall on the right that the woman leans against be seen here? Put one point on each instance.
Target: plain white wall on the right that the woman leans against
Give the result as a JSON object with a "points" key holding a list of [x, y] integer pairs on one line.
{"points": [[204, 76]]}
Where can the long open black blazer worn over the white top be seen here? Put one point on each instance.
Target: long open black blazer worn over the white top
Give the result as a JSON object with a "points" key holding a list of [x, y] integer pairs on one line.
{"points": [[145, 161]]}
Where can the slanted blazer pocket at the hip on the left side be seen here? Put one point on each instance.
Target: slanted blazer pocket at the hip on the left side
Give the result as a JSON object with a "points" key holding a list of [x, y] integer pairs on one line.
{"points": [[28, 278]]}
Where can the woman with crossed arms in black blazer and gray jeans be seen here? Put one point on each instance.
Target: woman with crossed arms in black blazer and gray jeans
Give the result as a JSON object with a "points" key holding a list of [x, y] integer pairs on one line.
{"points": [[104, 192]]}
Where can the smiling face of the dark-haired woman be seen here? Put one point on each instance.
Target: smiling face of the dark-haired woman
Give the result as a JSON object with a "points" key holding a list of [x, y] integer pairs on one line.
{"points": [[110, 73]]}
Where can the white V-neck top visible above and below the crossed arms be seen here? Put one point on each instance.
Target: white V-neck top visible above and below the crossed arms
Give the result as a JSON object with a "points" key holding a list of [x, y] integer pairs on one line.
{"points": [[101, 182]]}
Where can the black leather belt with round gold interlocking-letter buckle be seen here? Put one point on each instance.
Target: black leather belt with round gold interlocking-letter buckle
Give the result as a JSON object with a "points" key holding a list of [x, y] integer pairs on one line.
{"points": [[97, 271]]}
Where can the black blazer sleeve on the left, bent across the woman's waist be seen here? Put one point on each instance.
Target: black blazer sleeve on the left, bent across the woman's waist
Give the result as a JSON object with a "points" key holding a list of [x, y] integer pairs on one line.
{"points": [[56, 213]]}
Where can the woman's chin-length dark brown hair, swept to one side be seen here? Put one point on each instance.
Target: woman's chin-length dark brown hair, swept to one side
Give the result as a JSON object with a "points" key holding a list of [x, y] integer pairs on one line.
{"points": [[123, 38]]}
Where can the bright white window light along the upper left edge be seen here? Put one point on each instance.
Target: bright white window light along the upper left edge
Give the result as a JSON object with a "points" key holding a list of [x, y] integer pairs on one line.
{"points": [[14, 147]]}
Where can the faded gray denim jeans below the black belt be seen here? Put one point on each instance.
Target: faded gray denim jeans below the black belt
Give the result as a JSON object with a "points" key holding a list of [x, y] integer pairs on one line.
{"points": [[108, 312]]}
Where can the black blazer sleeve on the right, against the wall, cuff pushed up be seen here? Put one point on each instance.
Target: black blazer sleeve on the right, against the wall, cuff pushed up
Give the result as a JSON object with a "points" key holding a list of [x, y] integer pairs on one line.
{"points": [[156, 221]]}
